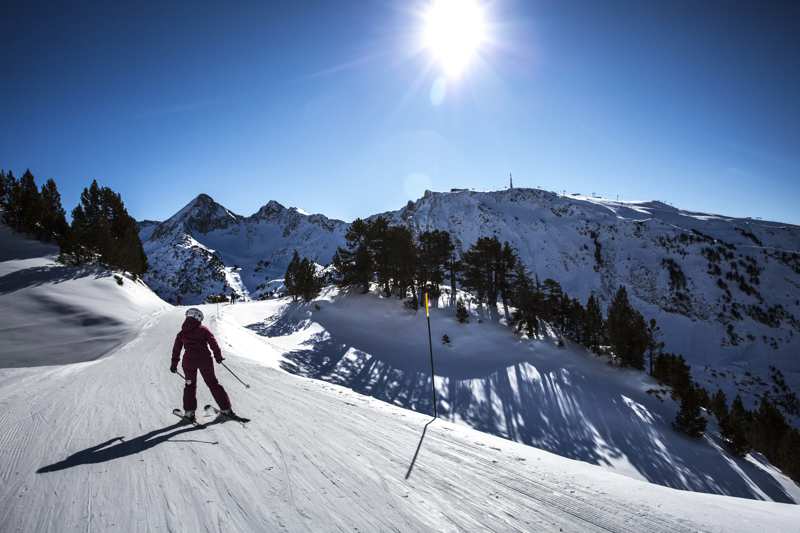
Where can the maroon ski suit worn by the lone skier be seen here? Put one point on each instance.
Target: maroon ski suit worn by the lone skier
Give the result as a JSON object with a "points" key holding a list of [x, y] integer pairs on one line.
{"points": [[196, 339]]}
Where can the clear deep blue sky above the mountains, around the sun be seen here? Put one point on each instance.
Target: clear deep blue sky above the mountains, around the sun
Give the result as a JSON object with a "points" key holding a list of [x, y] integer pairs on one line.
{"points": [[328, 105]]}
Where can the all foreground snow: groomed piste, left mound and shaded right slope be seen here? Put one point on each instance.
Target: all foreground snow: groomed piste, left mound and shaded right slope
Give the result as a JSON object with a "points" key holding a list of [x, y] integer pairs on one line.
{"points": [[89, 442]]}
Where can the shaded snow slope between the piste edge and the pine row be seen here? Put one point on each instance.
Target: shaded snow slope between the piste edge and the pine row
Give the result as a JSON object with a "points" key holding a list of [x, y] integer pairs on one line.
{"points": [[564, 400]]}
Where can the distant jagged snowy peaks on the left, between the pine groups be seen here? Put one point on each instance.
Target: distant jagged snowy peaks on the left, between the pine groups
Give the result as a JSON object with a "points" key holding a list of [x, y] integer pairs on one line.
{"points": [[205, 249]]}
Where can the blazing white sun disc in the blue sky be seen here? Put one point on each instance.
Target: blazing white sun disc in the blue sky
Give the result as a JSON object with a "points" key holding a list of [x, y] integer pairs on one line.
{"points": [[453, 33]]}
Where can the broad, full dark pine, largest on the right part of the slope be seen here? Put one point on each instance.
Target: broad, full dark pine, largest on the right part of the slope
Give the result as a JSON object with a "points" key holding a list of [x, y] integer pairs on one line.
{"points": [[627, 331]]}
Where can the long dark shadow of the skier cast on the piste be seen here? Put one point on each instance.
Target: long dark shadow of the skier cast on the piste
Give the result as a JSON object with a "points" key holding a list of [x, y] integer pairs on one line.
{"points": [[108, 451]]}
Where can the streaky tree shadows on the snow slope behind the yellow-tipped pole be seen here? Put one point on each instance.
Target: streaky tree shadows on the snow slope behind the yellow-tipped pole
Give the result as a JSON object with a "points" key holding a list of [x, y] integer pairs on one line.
{"points": [[535, 401]]}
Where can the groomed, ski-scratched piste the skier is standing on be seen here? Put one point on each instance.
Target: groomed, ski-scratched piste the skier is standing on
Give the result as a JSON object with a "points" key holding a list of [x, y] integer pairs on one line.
{"points": [[315, 457]]}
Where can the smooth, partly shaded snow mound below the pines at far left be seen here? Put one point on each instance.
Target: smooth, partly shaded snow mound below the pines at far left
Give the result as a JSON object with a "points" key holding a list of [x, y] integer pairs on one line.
{"points": [[55, 314]]}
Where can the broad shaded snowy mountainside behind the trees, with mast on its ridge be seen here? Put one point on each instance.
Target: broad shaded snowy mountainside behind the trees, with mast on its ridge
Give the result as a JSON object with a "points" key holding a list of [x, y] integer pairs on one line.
{"points": [[725, 291]]}
